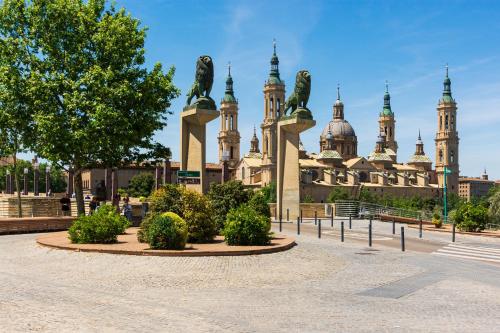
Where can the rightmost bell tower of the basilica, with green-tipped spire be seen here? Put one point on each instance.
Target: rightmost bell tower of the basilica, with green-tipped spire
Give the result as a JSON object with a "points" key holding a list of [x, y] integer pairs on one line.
{"points": [[447, 139]]}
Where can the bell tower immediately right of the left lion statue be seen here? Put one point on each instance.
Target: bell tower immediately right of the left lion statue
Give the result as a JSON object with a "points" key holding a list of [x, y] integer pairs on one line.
{"points": [[229, 136]]}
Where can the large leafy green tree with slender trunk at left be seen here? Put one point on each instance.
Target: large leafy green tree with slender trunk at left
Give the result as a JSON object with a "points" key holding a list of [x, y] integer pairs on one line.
{"points": [[93, 102]]}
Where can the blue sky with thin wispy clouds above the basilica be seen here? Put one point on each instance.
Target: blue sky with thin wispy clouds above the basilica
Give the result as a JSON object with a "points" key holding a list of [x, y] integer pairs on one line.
{"points": [[358, 44]]}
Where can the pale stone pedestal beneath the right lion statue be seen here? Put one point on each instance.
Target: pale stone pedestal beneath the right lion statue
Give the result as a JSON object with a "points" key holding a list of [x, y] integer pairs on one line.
{"points": [[288, 169]]}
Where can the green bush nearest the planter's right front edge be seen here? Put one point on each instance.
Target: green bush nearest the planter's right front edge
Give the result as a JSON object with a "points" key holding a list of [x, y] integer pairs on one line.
{"points": [[244, 226]]}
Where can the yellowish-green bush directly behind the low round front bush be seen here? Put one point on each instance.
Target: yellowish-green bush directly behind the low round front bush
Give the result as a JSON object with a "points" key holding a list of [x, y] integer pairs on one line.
{"points": [[166, 199]]}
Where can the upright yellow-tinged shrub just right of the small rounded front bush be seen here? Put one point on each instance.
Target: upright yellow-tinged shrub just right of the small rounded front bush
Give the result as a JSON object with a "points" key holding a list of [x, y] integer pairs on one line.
{"points": [[197, 212]]}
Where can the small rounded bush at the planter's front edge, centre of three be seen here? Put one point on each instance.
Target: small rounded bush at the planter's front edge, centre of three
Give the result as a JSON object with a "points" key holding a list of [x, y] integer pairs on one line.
{"points": [[167, 231]]}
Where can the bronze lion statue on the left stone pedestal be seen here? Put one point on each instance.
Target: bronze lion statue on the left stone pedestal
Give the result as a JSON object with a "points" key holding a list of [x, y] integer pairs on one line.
{"points": [[204, 80]]}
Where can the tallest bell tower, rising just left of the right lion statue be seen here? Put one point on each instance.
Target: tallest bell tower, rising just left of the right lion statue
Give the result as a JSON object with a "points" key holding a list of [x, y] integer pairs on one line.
{"points": [[274, 97]]}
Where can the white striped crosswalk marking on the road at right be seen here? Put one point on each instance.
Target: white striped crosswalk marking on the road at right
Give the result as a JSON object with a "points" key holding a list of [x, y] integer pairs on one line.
{"points": [[488, 254]]}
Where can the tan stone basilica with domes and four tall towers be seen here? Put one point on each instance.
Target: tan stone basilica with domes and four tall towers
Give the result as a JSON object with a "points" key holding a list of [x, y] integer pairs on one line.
{"points": [[337, 162]]}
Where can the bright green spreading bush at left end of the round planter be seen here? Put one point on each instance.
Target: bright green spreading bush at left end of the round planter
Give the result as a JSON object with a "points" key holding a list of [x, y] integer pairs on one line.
{"points": [[103, 226]]}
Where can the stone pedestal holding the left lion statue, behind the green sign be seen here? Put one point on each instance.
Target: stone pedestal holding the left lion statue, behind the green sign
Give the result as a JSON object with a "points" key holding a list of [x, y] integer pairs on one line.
{"points": [[193, 144]]}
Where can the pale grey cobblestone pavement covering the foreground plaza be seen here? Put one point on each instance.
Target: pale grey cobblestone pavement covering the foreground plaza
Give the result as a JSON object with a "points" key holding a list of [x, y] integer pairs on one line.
{"points": [[320, 285]]}
